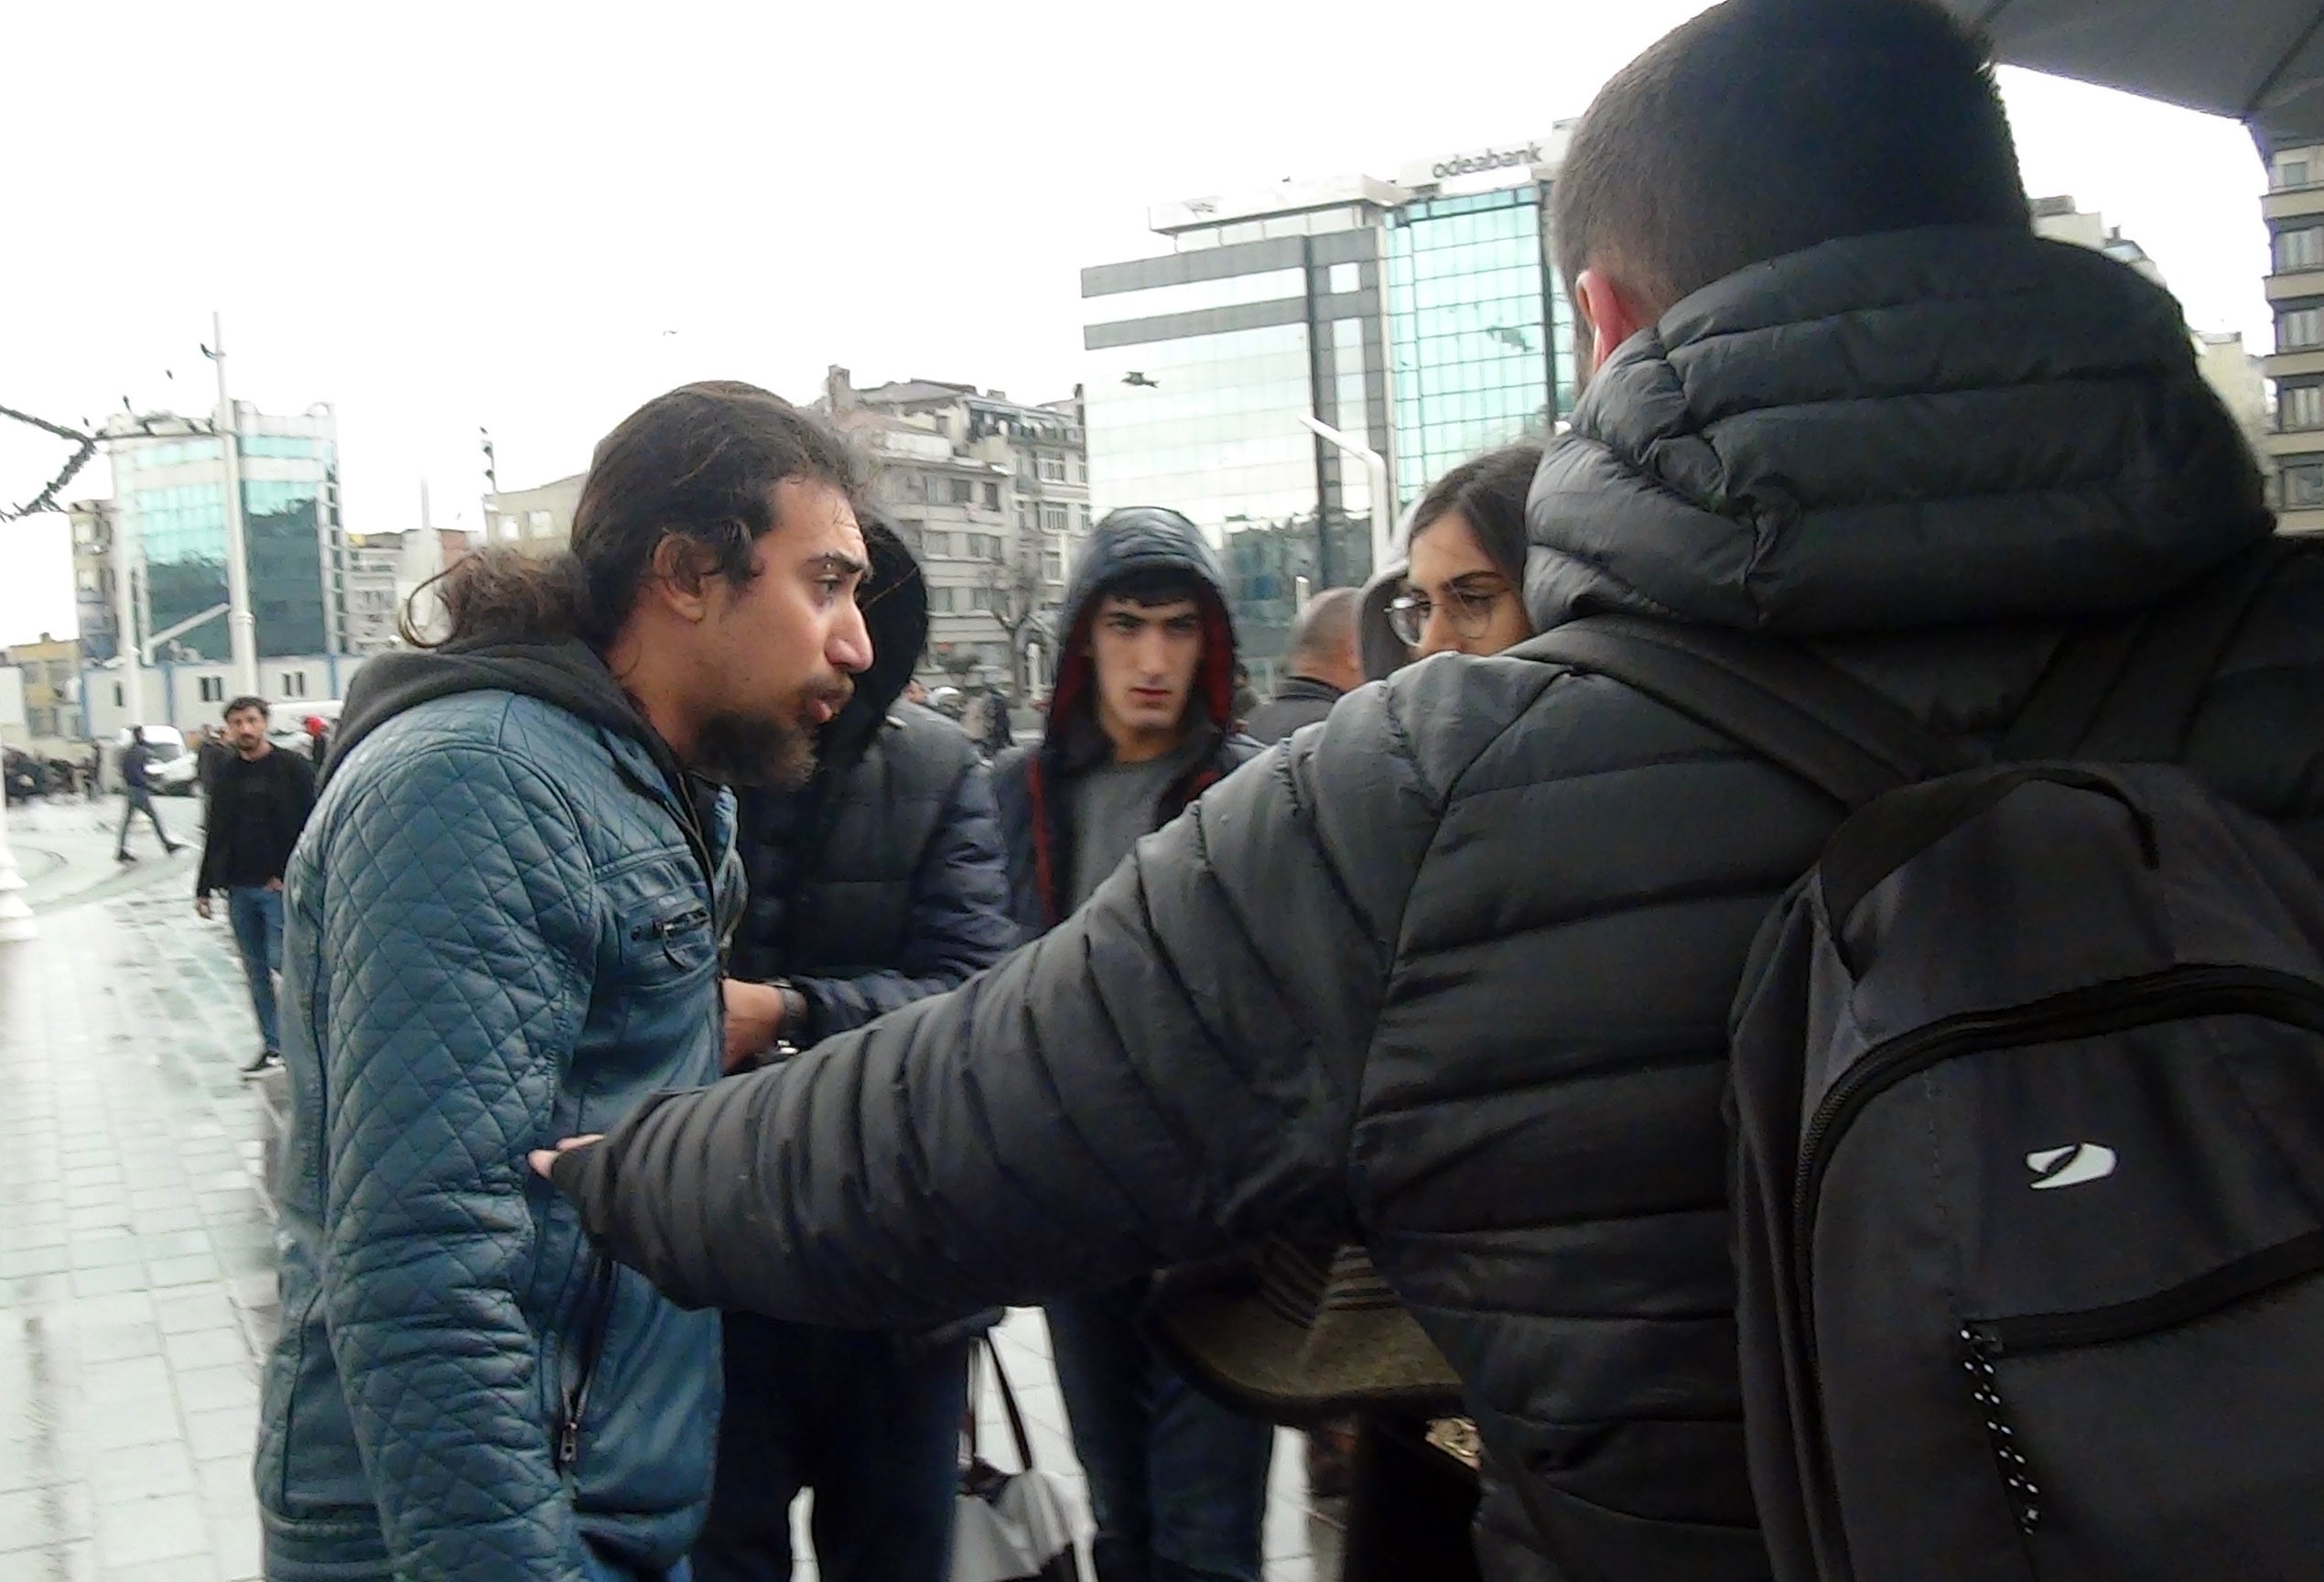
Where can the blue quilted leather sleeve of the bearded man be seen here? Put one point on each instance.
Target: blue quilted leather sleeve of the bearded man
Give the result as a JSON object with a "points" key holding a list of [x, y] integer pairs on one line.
{"points": [[461, 912]]}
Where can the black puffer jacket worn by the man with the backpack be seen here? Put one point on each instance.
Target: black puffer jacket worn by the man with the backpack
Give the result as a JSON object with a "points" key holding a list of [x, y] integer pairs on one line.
{"points": [[1454, 972]]}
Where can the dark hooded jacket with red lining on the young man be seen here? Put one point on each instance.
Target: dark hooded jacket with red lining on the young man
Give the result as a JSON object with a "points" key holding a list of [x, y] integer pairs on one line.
{"points": [[1028, 782]]}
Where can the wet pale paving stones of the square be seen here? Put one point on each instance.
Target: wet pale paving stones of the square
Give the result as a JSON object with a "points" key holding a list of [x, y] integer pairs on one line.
{"points": [[138, 1267]]}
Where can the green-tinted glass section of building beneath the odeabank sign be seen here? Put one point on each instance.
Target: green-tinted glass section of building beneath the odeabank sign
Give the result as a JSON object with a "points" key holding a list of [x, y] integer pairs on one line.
{"points": [[1482, 329]]}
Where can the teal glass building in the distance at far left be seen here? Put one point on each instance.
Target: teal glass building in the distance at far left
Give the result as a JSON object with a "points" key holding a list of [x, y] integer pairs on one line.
{"points": [[175, 491]]}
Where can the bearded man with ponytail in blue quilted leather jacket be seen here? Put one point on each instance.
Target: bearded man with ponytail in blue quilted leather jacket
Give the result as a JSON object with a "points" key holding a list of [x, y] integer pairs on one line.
{"points": [[503, 926]]}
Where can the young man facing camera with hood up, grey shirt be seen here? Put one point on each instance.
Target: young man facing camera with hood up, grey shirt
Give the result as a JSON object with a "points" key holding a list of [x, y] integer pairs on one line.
{"points": [[1138, 728]]}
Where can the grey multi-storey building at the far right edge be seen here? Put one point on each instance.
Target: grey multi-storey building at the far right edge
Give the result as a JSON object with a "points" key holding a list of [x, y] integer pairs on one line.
{"points": [[2295, 443]]}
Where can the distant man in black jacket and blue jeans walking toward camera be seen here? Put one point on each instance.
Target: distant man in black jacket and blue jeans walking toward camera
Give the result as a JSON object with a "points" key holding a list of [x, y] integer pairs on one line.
{"points": [[259, 803]]}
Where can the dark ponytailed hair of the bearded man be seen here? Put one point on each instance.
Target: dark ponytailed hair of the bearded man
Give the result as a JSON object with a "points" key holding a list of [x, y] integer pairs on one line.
{"points": [[698, 463]]}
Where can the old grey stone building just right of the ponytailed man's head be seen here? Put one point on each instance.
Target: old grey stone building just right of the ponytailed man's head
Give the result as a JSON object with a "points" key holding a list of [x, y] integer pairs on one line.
{"points": [[991, 496]]}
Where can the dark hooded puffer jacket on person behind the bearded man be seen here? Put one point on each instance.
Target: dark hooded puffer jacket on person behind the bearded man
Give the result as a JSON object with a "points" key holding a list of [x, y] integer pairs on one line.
{"points": [[884, 879]]}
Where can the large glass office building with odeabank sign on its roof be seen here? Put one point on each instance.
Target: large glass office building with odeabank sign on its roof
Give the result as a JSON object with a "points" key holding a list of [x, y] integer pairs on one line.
{"points": [[1421, 319]]}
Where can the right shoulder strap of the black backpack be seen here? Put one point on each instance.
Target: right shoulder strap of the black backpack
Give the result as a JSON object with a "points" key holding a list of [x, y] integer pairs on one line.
{"points": [[2128, 691]]}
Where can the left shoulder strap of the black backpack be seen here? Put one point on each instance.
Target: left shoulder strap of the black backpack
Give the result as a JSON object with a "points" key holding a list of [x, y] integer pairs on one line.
{"points": [[1774, 698]]}
